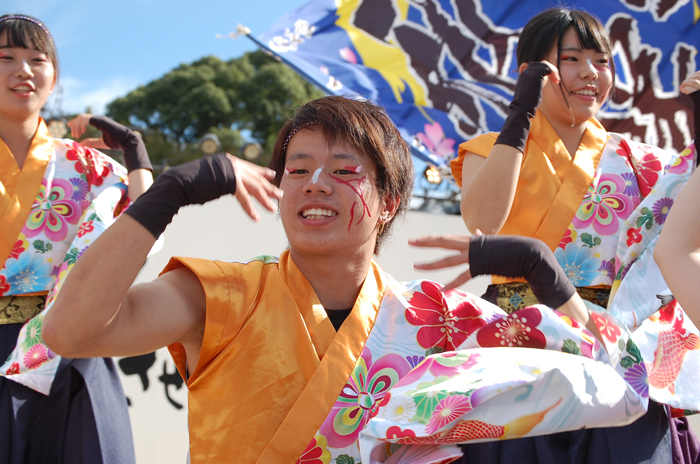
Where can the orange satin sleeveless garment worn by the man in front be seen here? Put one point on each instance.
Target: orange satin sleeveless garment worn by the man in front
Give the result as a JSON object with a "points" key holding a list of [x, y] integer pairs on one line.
{"points": [[271, 365]]}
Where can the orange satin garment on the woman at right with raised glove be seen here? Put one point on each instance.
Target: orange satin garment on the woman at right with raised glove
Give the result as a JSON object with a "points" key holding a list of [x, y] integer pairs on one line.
{"points": [[551, 185]]}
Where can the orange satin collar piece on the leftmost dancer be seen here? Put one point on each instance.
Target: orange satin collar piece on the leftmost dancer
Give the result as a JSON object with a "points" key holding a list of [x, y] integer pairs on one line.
{"points": [[18, 188]]}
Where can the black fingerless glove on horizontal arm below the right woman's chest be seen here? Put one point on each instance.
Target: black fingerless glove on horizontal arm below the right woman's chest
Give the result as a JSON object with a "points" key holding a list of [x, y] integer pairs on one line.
{"points": [[529, 258]]}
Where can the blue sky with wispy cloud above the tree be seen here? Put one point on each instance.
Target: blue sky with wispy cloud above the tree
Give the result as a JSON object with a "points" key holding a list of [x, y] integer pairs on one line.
{"points": [[107, 48]]}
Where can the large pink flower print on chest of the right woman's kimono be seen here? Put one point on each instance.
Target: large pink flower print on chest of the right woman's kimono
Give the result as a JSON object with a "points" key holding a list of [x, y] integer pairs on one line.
{"points": [[604, 205]]}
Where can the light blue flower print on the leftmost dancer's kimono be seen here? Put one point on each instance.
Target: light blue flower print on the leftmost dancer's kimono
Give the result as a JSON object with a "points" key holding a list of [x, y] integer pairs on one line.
{"points": [[28, 273]]}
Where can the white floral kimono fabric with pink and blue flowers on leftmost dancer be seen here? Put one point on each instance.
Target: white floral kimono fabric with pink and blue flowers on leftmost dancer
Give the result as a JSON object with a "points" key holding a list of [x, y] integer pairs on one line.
{"points": [[81, 194]]}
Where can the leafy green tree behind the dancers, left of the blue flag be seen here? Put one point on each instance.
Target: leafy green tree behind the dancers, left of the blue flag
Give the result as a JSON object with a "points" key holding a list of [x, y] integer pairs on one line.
{"points": [[254, 93]]}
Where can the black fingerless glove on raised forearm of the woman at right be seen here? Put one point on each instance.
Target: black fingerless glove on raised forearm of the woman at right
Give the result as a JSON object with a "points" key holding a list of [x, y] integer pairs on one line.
{"points": [[526, 99]]}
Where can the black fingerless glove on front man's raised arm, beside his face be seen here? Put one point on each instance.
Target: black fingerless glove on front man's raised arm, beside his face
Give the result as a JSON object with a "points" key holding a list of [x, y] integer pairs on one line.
{"points": [[196, 182]]}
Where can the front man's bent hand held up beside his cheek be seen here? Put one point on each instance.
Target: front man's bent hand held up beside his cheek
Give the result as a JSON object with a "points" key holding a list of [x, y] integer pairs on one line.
{"points": [[254, 180]]}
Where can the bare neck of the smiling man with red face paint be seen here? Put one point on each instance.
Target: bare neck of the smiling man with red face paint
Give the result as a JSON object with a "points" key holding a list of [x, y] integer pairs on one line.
{"points": [[337, 280]]}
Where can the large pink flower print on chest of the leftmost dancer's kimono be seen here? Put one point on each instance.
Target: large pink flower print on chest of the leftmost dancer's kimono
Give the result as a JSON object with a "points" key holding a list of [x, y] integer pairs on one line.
{"points": [[53, 211]]}
